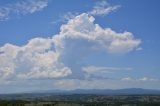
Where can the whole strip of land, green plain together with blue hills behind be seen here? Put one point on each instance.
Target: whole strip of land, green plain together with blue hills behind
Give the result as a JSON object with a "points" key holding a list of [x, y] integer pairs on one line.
{"points": [[123, 97]]}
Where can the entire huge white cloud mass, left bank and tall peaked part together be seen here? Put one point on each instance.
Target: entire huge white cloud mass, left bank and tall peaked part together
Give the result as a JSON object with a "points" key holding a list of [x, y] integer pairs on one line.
{"points": [[48, 57]]}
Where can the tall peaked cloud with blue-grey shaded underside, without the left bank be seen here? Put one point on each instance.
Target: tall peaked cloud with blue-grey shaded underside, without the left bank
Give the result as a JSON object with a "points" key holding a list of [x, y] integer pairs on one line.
{"points": [[81, 37]]}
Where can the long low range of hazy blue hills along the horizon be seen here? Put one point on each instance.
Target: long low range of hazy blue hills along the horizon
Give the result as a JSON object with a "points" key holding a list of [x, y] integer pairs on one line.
{"points": [[128, 91]]}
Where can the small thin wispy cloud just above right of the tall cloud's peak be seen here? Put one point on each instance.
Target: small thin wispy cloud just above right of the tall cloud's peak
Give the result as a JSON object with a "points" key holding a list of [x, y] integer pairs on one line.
{"points": [[103, 8]]}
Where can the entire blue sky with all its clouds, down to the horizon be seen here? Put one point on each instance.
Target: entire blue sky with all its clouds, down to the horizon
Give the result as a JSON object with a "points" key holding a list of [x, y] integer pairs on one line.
{"points": [[82, 44]]}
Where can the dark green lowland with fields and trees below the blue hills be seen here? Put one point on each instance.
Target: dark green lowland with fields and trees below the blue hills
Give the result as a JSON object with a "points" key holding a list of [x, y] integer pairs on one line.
{"points": [[77, 100]]}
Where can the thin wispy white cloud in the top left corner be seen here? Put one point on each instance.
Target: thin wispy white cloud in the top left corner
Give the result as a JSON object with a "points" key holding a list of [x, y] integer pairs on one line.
{"points": [[22, 8]]}
